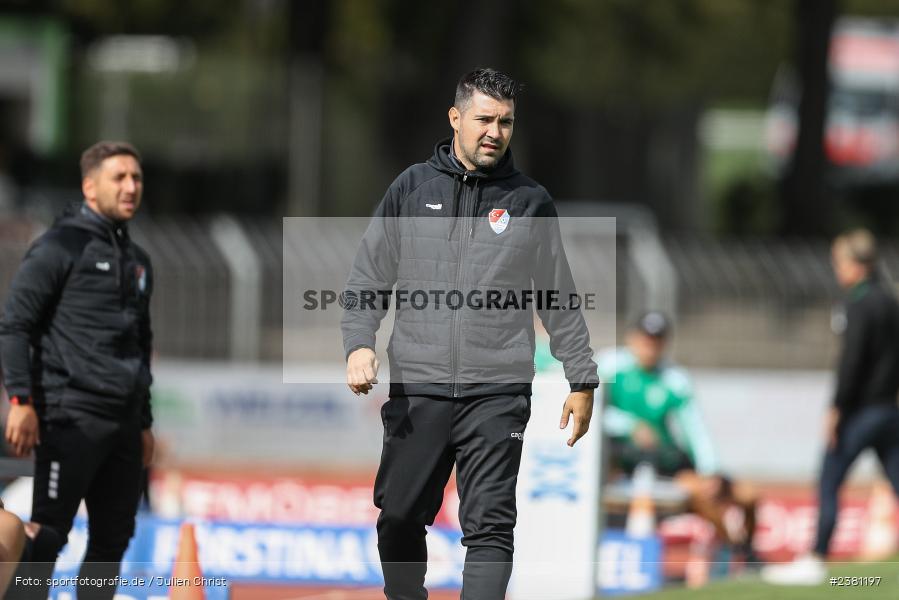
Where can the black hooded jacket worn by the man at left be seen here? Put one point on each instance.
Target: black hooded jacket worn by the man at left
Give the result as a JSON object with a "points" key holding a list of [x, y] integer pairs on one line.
{"points": [[75, 333]]}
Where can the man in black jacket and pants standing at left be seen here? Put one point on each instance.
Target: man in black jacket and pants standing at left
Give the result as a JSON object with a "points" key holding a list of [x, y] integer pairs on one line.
{"points": [[75, 343]]}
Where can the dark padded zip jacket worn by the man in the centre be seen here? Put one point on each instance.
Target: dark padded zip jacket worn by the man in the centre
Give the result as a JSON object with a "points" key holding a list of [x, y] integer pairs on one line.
{"points": [[439, 229]]}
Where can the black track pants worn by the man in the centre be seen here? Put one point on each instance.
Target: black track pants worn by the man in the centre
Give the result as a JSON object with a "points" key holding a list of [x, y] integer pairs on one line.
{"points": [[423, 438]]}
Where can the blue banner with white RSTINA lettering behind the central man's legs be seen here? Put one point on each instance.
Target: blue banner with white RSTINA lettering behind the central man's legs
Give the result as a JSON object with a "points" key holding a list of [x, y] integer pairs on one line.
{"points": [[261, 553]]}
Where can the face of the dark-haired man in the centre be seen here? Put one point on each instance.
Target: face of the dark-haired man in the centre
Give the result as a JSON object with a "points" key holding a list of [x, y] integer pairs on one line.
{"points": [[483, 130]]}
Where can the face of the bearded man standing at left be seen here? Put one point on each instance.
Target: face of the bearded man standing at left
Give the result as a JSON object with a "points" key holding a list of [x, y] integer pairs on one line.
{"points": [[114, 188]]}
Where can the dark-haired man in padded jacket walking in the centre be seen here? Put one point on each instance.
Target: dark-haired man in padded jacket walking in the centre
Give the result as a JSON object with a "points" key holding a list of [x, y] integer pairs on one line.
{"points": [[472, 247]]}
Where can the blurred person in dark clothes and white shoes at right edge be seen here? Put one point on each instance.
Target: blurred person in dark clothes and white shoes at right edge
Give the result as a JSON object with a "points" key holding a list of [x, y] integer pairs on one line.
{"points": [[864, 413]]}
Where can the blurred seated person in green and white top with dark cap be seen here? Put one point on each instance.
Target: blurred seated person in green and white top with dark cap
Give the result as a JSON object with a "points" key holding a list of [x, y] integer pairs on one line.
{"points": [[650, 416]]}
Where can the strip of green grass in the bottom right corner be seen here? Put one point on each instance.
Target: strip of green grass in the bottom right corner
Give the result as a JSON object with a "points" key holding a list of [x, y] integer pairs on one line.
{"points": [[753, 589]]}
